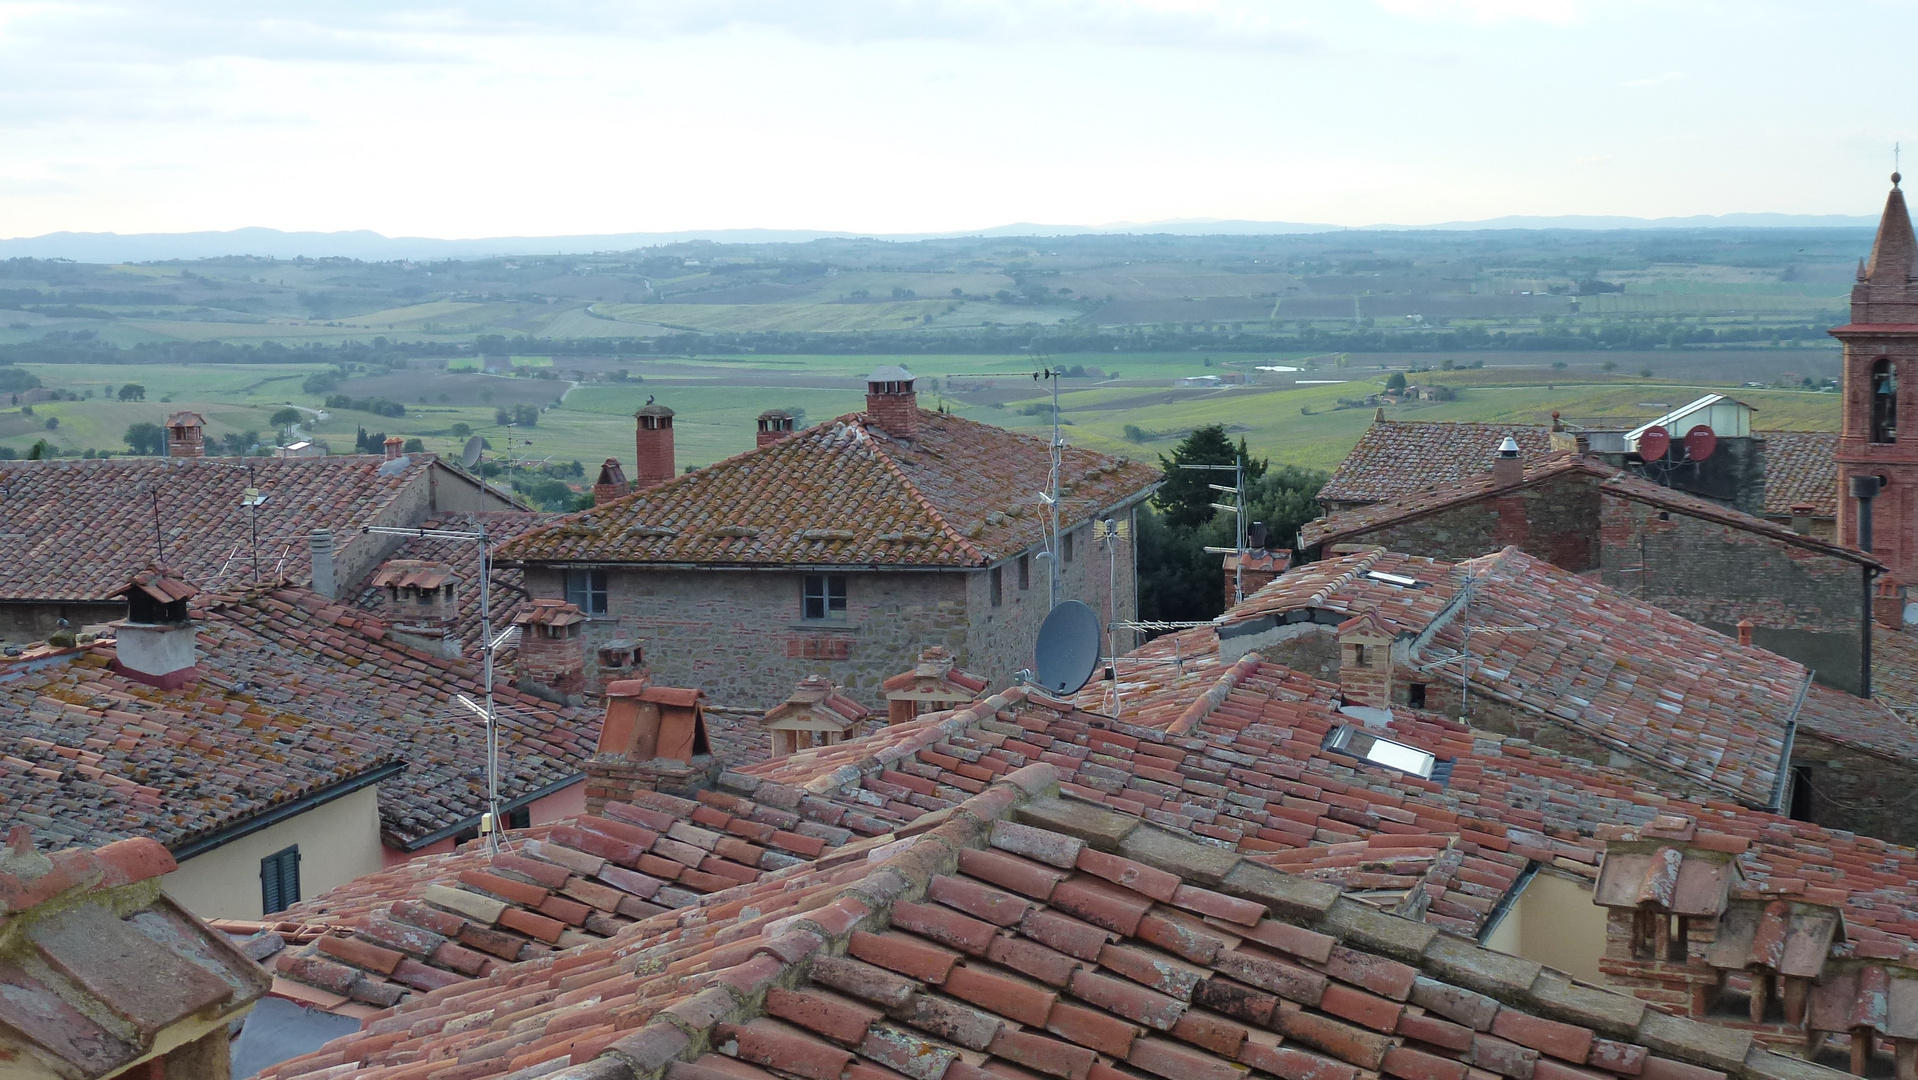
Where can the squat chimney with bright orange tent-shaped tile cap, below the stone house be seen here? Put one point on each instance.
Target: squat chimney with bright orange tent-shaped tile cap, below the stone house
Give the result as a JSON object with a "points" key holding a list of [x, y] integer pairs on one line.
{"points": [[653, 740]]}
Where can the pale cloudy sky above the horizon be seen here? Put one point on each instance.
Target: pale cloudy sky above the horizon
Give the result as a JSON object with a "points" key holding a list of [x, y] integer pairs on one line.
{"points": [[901, 116]]}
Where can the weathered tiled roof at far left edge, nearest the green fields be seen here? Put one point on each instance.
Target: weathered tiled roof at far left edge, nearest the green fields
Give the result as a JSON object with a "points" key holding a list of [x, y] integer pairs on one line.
{"points": [[78, 530]]}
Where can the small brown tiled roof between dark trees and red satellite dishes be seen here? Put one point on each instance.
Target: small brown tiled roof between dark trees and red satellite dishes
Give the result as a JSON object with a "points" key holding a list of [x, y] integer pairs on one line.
{"points": [[1399, 458]]}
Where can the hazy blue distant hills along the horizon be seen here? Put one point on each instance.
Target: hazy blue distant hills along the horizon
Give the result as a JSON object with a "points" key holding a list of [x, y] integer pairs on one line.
{"points": [[373, 247]]}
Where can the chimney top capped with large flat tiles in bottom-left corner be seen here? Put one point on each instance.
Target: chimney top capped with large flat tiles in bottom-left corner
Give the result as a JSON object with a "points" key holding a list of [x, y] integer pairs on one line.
{"points": [[101, 968]]}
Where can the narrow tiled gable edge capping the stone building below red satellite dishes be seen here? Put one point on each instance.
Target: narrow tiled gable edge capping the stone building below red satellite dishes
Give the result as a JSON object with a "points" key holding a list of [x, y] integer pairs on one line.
{"points": [[1612, 482]]}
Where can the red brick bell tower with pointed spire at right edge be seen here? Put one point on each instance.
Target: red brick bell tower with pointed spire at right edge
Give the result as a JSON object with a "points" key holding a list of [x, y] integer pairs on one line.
{"points": [[1881, 387]]}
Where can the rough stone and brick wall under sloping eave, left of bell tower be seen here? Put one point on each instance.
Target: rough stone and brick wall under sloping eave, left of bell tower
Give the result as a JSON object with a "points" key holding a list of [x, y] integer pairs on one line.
{"points": [[1806, 605]]}
